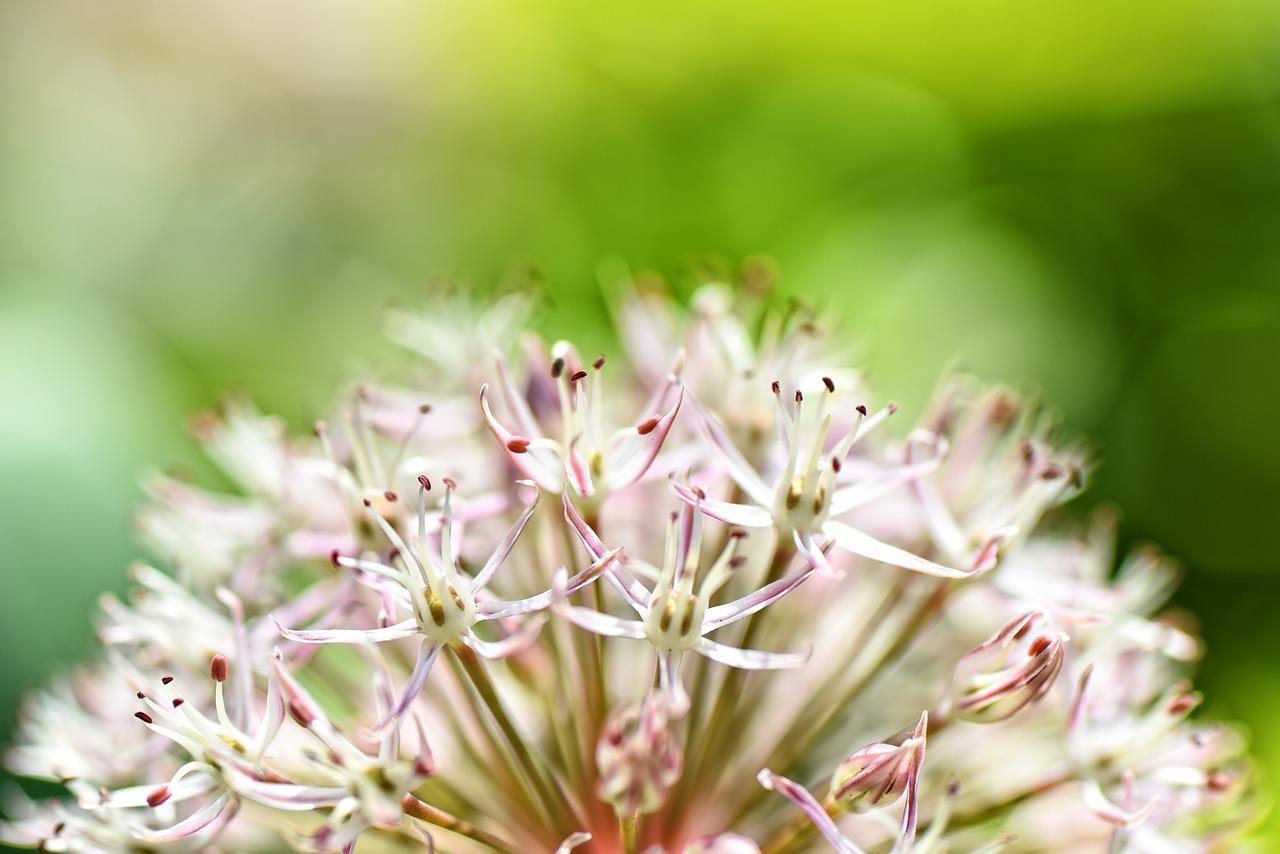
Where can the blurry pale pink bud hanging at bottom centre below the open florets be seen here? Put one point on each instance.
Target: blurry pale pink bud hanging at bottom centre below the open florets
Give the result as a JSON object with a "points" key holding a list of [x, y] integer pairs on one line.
{"points": [[638, 759]]}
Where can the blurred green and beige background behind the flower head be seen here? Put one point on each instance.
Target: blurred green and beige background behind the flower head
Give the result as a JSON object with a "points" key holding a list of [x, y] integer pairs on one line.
{"points": [[1078, 198]]}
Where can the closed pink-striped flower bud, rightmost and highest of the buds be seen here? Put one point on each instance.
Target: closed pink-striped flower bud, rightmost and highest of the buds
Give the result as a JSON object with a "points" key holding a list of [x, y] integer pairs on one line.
{"points": [[1009, 673]]}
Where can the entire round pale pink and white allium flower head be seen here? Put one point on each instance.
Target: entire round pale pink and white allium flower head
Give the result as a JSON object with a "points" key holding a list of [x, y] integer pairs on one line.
{"points": [[516, 604]]}
